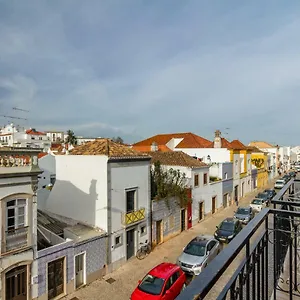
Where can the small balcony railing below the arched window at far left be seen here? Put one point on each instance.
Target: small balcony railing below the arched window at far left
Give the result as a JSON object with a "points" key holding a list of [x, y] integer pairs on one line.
{"points": [[16, 239]]}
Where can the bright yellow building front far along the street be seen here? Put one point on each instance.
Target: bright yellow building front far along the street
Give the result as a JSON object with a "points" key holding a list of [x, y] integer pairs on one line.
{"points": [[260, 160]]}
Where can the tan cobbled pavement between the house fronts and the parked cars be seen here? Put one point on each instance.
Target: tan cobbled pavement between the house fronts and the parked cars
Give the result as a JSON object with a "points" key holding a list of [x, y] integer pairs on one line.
{"points": [[126, 277]]}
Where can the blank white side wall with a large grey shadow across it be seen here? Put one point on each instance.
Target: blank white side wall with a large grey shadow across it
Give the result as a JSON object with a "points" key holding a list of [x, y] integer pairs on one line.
{"points": [[80, 190]]}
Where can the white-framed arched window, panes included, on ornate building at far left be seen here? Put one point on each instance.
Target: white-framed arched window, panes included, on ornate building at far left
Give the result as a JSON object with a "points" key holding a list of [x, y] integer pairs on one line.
{"points": [[16, 214]]}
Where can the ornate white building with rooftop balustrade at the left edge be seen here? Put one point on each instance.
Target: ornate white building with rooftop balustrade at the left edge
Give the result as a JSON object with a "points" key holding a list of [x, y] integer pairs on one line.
{"points": [[18, 184]]}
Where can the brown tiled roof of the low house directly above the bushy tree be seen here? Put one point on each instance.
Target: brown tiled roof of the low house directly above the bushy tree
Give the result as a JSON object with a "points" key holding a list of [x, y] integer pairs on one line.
{"points": [[175, 158]]}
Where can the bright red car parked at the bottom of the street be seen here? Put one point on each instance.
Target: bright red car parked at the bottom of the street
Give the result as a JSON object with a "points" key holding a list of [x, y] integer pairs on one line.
{"points": [[164, 282]]}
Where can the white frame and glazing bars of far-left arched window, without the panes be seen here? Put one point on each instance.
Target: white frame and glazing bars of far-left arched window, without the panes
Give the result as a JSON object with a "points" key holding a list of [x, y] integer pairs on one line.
{"points": [[16, 216]]}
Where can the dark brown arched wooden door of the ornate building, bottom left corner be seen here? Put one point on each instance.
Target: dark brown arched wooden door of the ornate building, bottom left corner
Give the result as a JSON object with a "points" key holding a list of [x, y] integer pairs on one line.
{"points": [[16, 284]]}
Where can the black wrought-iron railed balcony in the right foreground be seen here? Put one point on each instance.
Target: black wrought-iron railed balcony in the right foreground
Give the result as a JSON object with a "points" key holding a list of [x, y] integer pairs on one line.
{"points": [[263, 261]]}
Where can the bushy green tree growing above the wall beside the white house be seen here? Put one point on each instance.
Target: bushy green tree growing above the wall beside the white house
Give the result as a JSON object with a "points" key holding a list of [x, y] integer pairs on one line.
{"points": [[169, 183]]}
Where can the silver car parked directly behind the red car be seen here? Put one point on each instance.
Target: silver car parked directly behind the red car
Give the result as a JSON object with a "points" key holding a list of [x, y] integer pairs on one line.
{"points": [[198, 253]]}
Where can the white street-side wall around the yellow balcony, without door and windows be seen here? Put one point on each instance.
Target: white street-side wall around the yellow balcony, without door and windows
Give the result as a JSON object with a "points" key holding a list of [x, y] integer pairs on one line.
{"points": [[124, 176]]}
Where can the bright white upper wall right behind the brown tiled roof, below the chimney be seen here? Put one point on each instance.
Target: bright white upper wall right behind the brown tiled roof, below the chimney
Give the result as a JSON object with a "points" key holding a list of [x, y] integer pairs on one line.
{"points": [[216, 154]]}
